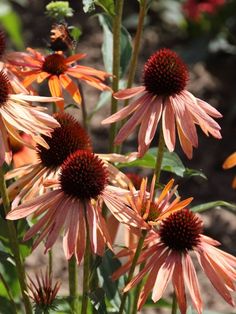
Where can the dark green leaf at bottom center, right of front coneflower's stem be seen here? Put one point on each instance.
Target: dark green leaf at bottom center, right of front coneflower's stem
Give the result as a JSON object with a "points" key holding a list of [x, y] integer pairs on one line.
{"points": [[109, 264]]}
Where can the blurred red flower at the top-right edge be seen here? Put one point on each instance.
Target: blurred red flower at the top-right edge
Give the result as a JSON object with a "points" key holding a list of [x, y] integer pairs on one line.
{"points": [[194, 8]]}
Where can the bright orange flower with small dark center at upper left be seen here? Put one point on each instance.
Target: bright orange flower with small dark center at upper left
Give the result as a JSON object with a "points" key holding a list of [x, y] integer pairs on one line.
{"points": [[57, 70]]}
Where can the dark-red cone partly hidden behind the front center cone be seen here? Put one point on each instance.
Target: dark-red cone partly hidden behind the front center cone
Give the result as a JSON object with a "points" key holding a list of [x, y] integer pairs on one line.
{"points": [[64, 140]]}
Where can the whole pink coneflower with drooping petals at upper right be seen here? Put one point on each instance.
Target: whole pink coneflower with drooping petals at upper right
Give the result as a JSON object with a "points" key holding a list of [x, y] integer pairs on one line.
{"points": [[163, 94]]}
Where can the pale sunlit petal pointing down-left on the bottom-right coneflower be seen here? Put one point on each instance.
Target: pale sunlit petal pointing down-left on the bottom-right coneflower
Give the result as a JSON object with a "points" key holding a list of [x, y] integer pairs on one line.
{"points": [[163, 277]]}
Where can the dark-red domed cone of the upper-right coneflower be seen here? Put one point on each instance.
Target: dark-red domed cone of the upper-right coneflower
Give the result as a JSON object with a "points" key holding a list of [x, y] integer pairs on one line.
{"points": [[165, 73]]}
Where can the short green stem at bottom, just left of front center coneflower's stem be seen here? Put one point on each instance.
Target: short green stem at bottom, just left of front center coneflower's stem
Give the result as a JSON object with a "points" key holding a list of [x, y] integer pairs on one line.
{"points": [[72, 271]]}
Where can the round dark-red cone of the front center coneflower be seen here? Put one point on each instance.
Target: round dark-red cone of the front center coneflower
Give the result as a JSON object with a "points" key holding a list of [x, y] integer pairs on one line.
{"points": [[83, 175]]}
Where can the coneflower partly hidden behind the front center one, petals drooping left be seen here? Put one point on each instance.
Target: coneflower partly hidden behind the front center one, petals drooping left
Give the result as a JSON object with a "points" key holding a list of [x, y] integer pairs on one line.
{"points": [[65, 140]]}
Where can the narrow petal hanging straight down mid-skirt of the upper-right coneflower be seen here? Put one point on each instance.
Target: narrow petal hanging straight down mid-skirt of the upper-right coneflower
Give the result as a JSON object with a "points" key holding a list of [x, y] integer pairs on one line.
{"points": [[168, 126]]}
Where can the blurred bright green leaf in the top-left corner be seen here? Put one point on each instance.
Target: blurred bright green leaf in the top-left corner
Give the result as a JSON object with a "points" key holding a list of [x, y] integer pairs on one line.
{"points": [[11, 22]]}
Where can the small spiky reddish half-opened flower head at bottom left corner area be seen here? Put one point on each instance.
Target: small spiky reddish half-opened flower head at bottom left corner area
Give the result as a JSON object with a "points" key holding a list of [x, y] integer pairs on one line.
{"points": [[43, 292]]}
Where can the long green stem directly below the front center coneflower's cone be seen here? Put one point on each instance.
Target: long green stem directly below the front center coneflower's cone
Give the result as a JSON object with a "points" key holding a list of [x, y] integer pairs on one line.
{"points": [[86, 271]]}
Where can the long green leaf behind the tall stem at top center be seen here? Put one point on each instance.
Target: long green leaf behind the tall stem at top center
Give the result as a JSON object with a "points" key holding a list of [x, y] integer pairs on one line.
{"points": [[126, 46]]}
